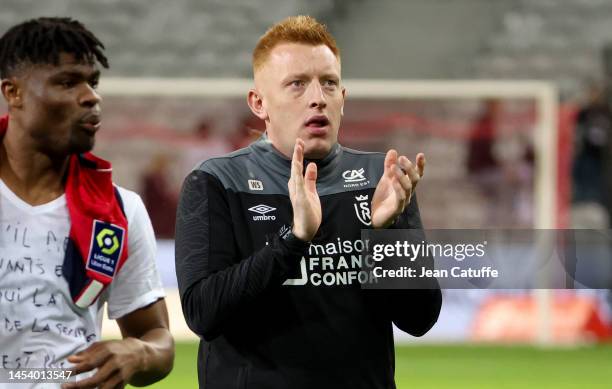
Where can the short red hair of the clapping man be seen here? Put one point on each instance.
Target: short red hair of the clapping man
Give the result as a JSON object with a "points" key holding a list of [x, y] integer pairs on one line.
{"points": [[294, 29]]}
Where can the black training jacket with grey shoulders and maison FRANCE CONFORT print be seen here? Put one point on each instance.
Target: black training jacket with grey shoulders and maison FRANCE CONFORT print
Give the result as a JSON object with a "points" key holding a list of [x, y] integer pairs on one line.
{"points": [[277, 313]]}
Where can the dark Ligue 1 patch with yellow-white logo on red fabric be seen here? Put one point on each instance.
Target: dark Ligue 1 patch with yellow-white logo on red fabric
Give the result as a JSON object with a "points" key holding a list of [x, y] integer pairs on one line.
{"points": [[106, 247]]}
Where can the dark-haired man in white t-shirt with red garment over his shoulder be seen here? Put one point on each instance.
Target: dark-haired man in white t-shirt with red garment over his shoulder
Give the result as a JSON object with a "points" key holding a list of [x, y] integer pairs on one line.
{"points": [[70, 240]]}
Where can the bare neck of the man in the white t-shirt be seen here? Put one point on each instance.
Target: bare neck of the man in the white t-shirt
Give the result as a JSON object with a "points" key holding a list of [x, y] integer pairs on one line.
{"points": [[33, 176]]}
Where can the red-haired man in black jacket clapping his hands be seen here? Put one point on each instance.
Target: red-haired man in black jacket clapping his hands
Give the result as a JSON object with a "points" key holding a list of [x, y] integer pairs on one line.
{"points": [[268, 241]]}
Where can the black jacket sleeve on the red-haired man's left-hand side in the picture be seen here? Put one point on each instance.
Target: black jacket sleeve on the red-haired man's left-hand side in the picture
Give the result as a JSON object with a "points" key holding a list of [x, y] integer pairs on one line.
{"points": [[213, 282]]}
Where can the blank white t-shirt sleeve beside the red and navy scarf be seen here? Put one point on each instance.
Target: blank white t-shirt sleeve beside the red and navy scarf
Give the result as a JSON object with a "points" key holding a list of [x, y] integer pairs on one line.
{"points": [[137, 284]]}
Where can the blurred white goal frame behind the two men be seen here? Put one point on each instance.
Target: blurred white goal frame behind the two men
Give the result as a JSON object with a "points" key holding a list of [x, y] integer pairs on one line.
{"points": [[543, 93]]}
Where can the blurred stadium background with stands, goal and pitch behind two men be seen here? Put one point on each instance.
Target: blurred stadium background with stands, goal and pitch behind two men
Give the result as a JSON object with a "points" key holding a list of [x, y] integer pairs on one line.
{"points": [[508, 74]]}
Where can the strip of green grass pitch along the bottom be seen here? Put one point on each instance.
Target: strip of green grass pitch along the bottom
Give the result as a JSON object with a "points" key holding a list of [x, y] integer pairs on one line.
{"points": [[465, 367]]}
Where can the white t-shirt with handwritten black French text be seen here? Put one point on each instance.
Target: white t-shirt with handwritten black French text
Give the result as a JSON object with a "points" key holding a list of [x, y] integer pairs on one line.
{"points": [[40, 326]]}
